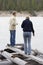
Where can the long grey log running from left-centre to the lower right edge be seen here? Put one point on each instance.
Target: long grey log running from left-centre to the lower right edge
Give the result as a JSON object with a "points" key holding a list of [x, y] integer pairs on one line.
{"points": [[35, 58]]}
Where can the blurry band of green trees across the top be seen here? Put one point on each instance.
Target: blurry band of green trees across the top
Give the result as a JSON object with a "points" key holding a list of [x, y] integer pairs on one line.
{"points": [[21, 5]]}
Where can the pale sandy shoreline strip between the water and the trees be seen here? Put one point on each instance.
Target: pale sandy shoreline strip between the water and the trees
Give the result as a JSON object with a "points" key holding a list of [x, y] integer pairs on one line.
{"points": [[22, 13]]}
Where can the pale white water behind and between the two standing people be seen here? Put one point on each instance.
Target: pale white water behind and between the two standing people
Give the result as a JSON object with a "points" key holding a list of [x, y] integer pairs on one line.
{"points": [[36, 41]]}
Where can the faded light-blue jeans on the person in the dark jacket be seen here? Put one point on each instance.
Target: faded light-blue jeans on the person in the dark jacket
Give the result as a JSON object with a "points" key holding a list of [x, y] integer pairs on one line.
{"points": [[27, 38]]}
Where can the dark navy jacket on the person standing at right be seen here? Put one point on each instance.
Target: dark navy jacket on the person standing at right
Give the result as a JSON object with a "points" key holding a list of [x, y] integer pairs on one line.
{"points": [[27, 26]]}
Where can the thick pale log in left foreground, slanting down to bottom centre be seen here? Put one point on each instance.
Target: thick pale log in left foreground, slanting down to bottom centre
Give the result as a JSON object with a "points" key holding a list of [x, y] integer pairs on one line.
{"points": [[14, 60]]}
